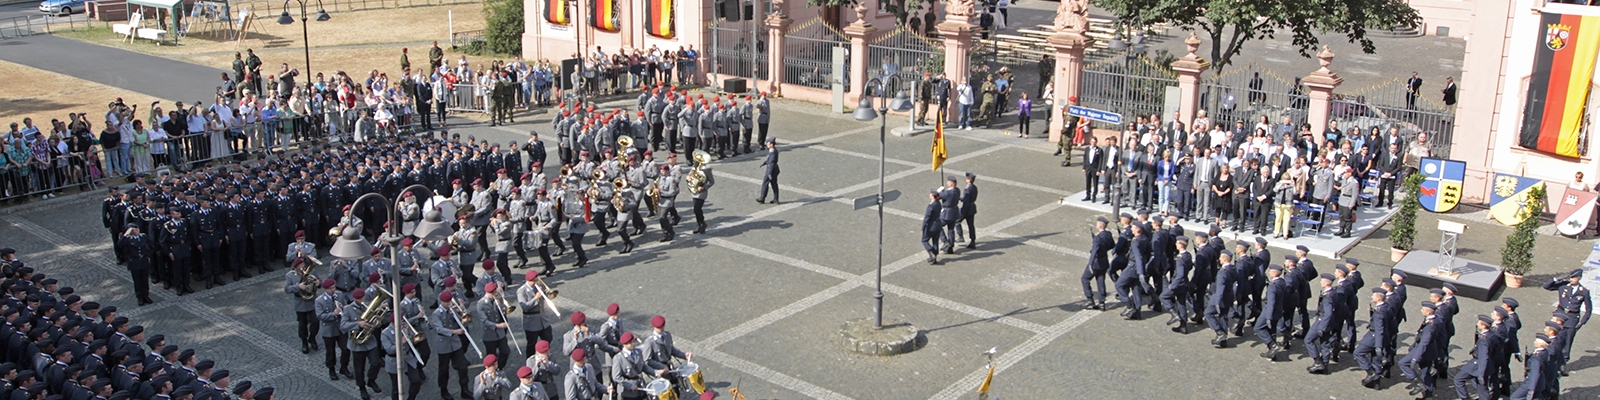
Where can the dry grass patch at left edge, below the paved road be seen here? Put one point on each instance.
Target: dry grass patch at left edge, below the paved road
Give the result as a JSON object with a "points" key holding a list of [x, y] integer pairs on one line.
{"points": [[52, 95]]}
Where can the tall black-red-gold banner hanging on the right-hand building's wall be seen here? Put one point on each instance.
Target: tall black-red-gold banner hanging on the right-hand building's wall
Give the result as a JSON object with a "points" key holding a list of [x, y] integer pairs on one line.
{"points": [[1559, 90]]}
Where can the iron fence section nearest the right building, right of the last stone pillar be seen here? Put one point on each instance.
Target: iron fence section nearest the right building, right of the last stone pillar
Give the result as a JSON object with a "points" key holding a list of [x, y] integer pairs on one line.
{"points": [[1390, 105]]}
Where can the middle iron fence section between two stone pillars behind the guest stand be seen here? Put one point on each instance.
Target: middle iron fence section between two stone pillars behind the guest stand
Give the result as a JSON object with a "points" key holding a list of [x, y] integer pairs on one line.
{"points": [[1250, 94]]}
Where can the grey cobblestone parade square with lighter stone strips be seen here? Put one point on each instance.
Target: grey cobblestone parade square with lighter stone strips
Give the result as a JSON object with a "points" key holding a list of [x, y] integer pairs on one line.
{"points": [[759, 298]]}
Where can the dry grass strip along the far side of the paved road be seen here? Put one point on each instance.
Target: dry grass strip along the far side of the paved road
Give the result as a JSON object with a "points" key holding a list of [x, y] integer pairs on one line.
{"points": [[410, 25]]}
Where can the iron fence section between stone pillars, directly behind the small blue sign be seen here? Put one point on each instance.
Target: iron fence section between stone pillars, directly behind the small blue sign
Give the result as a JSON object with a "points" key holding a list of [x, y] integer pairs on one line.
{"points": [[1130, 86]]}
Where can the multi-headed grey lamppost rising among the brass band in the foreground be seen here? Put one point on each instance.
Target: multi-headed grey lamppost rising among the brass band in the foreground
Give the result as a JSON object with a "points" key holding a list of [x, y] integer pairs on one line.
{"points": [[351, 247]]}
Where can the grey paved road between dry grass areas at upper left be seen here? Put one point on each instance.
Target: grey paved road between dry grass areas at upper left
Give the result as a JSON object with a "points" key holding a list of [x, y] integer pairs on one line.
{"points": [[118, 68]]}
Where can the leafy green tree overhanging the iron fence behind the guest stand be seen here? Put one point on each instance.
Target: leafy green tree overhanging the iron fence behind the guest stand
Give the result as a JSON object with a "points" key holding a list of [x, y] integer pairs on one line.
{"points": [[1230, 25]]}
